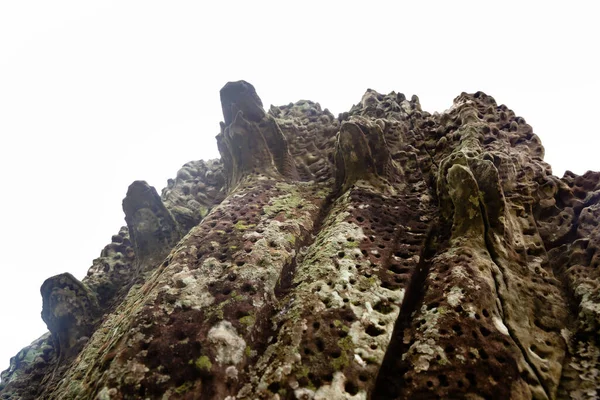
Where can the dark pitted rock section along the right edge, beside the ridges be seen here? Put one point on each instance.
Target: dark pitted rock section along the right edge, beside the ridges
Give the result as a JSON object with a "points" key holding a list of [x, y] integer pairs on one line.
{"points": [[568, 215]]}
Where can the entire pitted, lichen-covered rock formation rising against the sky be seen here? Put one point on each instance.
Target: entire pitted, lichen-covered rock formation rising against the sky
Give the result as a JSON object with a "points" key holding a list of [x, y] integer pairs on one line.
{"points": [[388, 253]]}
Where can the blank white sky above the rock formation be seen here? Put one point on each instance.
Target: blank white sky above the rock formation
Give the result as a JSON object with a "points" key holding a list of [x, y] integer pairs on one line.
{"points": [[97, 94]]}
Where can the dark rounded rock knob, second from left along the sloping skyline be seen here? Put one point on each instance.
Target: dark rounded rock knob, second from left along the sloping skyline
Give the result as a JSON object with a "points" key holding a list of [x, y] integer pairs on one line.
{"points": [[152, 228]]}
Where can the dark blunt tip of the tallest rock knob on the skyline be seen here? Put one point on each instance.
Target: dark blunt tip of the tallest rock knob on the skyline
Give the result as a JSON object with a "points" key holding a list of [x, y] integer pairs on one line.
{"points": [[241, 96]]}
